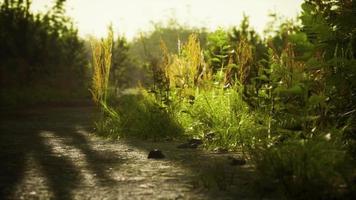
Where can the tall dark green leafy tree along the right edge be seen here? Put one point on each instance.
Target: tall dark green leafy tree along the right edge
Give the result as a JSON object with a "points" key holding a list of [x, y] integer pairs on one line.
{"points": [[331, 28]]}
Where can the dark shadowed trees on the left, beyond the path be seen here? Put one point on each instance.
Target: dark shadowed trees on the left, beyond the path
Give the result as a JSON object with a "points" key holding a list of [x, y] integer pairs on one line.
{"points": [[28, 58]]}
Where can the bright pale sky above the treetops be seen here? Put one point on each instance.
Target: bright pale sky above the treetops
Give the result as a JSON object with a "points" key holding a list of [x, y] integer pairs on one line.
{"points": [[129, 17]]}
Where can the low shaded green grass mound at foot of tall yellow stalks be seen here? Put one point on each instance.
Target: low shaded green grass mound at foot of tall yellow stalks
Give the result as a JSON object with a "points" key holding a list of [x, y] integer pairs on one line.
{"points": [[139, 115]]}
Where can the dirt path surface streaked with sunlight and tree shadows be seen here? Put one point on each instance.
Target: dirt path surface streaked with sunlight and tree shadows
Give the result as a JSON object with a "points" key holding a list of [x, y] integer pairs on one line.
{"points": [[51, 153]]}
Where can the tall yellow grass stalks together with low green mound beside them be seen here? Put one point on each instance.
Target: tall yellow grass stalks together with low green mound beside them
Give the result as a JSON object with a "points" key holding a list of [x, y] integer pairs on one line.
{"points": [[136, 115]]}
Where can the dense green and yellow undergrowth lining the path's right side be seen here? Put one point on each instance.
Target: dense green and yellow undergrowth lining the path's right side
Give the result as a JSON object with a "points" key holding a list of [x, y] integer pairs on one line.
{"points": [[288, 105]]}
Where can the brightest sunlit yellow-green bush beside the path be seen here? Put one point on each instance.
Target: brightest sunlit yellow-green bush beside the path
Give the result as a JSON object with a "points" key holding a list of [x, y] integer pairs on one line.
{"points": [[221, 118]]}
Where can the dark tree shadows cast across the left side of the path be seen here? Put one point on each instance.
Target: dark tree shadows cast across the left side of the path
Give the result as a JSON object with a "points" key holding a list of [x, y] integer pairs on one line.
{"points": [[21, 142]]}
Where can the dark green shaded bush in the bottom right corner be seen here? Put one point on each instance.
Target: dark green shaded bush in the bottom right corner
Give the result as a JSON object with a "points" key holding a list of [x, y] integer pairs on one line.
{"points": [[305, 169]]}
